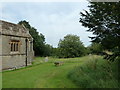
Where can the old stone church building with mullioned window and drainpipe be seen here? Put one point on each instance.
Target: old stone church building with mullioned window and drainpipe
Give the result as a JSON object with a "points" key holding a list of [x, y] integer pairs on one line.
{"points": [[16, 46]]}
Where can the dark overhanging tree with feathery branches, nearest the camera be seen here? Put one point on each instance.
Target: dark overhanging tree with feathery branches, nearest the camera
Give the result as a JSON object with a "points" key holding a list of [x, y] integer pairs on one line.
{"points": [[103, 19]]}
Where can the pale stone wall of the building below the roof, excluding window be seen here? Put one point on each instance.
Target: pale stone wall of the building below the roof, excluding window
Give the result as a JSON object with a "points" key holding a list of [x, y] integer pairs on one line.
{"points": [[15, 59]]}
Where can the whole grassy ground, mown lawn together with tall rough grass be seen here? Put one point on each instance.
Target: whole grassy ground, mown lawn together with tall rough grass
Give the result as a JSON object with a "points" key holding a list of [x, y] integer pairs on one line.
{"points": [[86, 72]]}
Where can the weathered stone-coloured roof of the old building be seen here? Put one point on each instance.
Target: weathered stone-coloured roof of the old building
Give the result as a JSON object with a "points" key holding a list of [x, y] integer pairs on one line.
{"points": [[8, 28]]}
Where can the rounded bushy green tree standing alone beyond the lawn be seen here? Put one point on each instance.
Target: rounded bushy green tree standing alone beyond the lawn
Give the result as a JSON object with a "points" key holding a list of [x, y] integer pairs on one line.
{"points": [[71, 46]]}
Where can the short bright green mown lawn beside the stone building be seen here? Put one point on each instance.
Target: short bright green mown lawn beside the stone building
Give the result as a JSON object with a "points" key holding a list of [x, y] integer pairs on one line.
{"points": [[45, 74]]}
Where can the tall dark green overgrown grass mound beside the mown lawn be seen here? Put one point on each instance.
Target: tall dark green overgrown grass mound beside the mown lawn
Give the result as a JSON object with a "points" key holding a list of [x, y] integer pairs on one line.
{"points": [[95, 73]]}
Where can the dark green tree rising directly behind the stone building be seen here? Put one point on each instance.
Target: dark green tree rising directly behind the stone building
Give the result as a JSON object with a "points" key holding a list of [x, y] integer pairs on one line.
{"points": [[38, 39]]}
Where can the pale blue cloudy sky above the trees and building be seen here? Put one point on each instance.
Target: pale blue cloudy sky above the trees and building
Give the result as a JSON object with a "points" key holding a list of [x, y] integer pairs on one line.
{"points": [[53, 19]]}
